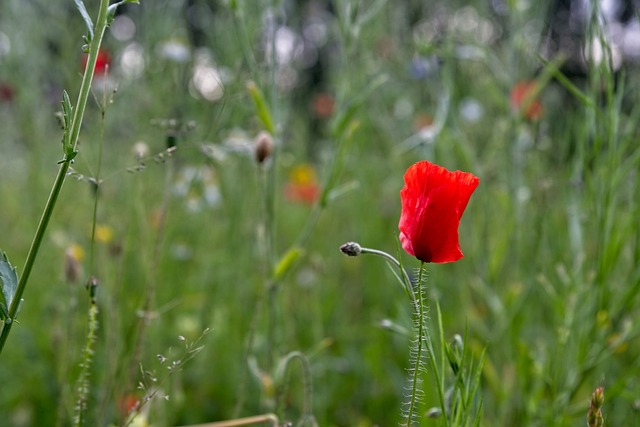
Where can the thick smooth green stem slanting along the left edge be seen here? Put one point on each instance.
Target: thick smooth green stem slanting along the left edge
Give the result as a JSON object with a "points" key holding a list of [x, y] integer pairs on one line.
{"points": [[85, 88]]}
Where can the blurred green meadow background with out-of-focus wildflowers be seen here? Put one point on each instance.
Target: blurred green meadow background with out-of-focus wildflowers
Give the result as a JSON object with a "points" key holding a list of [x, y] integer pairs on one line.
{"points": [[205, 238]]}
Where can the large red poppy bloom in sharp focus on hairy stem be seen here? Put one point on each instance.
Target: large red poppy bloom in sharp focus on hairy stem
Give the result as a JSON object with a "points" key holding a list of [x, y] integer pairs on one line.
{"points": [[433, 201]]}
